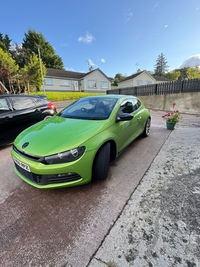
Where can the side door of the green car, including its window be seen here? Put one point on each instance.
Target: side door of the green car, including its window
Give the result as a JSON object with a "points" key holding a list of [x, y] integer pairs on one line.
{"points": [[128, 130]]}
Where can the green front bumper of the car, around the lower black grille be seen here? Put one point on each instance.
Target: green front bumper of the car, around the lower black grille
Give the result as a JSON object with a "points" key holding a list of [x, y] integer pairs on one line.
{"points": [[55, 175]]}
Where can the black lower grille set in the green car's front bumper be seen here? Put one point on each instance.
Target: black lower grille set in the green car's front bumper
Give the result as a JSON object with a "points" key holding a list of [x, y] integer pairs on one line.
{"points": [[48, 179]]}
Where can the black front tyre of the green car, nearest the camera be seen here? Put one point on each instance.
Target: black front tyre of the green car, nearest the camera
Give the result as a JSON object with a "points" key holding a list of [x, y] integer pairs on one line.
{"points": [[101, 163]]}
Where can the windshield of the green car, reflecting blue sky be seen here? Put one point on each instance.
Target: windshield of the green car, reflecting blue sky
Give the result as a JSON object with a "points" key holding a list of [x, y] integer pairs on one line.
{"points": [[92, 108]]}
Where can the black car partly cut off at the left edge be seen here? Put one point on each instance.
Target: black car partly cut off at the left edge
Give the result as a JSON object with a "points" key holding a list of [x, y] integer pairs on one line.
{"points": [[17, 112]]}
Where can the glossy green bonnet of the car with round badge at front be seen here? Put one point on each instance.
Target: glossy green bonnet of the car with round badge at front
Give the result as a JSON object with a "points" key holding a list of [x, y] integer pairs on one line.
{"points": [[57, 134]]}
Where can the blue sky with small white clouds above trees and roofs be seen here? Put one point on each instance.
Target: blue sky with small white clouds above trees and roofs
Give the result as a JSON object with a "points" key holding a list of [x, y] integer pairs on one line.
{"points": [[116, 36]]}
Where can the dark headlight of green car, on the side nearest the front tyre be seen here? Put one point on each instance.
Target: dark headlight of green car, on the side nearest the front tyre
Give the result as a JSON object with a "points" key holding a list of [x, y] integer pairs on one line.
{"points": [[66, 156]]}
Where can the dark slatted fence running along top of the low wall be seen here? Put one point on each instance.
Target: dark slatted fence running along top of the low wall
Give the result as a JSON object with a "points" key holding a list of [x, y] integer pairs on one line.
{"points": [[185, 86]]}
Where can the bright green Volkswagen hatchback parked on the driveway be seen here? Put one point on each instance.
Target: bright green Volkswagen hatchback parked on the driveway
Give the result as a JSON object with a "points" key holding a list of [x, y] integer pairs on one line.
{"points": [[78, 144]]}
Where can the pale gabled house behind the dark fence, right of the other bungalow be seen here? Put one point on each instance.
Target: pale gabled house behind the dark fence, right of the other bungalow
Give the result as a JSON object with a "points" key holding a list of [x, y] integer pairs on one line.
{"points": [[141, 78]]}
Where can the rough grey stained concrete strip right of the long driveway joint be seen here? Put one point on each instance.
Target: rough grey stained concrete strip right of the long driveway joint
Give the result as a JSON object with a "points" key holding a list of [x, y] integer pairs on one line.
{"points": [[160, 225]]}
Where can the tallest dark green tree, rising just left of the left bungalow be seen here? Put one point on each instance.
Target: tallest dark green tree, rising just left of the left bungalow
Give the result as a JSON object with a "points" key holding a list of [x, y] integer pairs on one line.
{"points": [[34, 42]]}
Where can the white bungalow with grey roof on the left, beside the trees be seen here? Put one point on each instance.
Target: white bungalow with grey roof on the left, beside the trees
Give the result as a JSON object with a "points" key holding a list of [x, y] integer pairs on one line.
{"points": [[62, 80]]}
